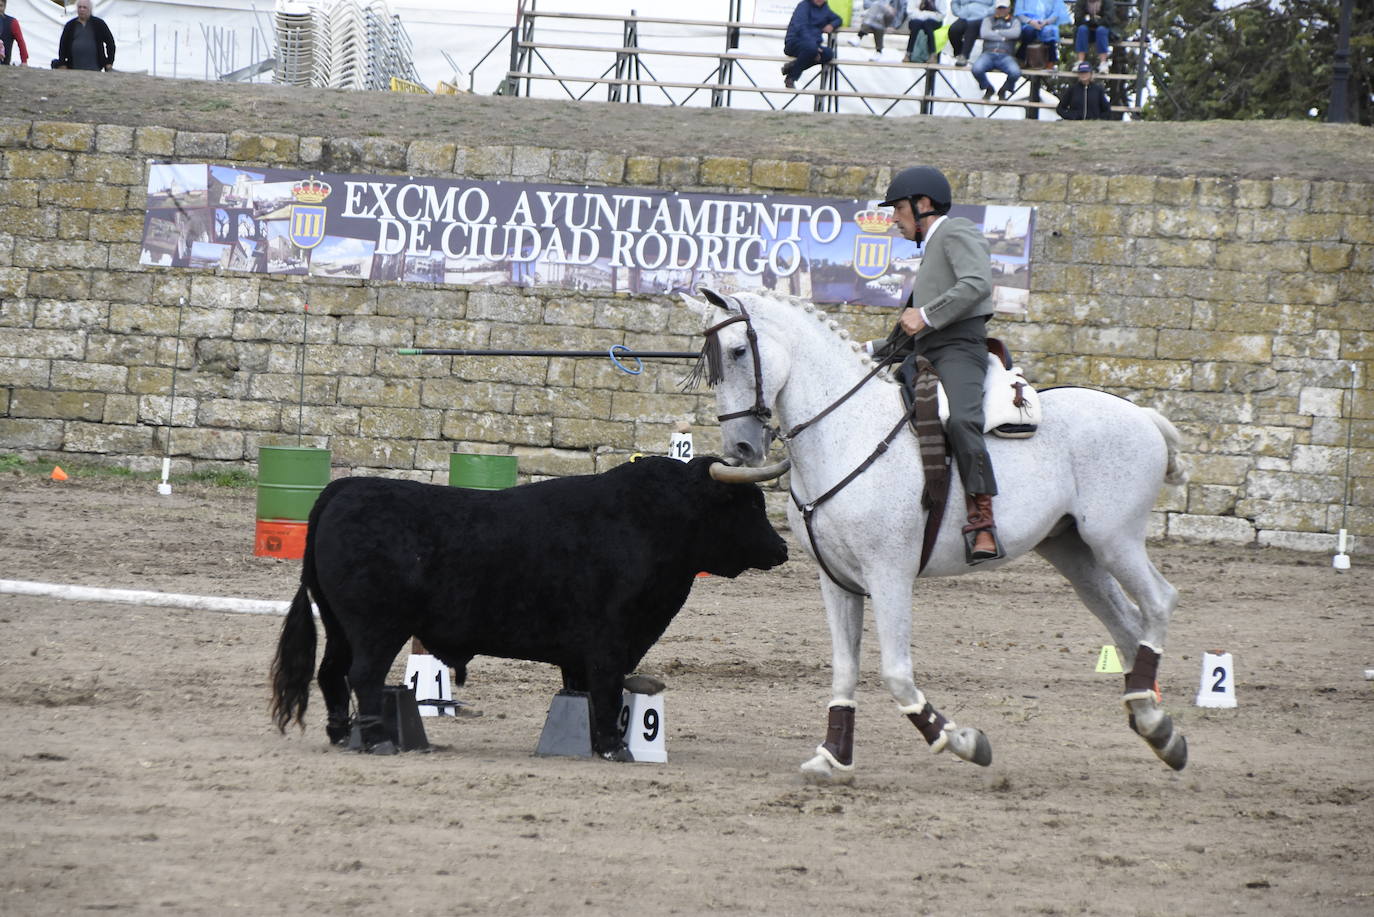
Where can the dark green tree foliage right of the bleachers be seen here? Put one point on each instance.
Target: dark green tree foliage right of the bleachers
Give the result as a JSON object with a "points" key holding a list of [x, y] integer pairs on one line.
{"points": [[1257, 60]]}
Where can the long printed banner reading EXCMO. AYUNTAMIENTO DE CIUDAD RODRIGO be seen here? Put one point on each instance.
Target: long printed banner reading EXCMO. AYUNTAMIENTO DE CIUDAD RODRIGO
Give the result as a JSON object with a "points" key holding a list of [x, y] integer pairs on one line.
{"points": [[377, 228]]}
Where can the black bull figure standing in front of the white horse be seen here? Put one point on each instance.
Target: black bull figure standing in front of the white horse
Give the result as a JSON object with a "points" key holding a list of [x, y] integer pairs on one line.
{"points": [[582, 573]]}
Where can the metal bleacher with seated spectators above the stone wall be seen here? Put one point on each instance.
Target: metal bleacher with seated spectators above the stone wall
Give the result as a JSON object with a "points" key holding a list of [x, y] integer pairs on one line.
{"points": [[741, 67]]}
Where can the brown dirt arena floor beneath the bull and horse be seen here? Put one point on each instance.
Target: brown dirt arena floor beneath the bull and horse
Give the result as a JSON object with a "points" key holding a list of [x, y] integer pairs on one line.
{"points": [[141, 773]]}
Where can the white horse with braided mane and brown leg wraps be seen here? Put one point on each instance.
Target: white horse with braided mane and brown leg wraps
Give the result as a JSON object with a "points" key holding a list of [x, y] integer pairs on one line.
{"points": [[1079, 493]]}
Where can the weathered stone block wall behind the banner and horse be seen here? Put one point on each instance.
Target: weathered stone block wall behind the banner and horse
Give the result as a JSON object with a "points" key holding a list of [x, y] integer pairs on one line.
{"points": [[1237, 307]]}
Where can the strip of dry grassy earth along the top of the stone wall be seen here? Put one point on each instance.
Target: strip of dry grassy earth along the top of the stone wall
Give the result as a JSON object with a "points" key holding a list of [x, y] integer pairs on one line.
{"points": [[1229, 149]]}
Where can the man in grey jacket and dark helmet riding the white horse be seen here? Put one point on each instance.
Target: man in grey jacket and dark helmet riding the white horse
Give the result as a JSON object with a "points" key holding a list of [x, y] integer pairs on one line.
{"points": [[946, 322]]}
